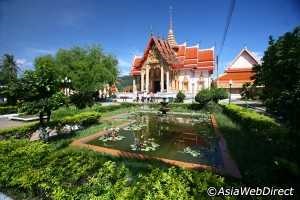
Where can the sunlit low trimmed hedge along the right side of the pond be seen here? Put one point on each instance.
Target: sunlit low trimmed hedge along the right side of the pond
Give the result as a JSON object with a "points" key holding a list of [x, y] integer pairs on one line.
{"points": [[250, 119]]}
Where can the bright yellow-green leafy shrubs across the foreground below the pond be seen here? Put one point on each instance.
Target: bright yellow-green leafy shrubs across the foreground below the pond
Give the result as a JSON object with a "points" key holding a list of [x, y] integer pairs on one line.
{"points": [[42, 171]]}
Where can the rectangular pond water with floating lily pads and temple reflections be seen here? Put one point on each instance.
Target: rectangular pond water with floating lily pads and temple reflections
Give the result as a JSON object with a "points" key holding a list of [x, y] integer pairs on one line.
{"points": [[176, 137]]}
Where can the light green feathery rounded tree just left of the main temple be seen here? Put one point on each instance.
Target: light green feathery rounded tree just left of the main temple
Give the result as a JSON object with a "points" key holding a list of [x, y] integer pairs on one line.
{"points": [[89, 69]]}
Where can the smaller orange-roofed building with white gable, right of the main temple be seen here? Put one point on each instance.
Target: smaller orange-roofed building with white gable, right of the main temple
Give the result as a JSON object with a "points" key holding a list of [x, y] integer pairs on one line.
{"points": [[238, 72]]}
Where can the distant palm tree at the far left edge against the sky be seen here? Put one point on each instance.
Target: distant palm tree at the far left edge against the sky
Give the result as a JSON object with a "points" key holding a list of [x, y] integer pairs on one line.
{"points": [[8, 69]]}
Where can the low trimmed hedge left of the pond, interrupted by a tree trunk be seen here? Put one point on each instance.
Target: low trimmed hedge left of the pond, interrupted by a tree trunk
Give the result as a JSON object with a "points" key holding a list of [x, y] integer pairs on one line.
{"points": [[84, 119]]}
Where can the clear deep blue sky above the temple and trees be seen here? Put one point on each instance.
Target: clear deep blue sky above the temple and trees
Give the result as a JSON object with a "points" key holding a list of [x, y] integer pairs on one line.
{"points": [[31, 28]]}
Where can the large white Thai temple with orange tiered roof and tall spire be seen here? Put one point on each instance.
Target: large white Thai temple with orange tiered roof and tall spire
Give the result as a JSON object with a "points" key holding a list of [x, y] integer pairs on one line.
{"points": [[167, 67]]}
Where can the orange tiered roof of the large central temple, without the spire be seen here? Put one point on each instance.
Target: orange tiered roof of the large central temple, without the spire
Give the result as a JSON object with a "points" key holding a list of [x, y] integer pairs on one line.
{"points": [[178, 56]]}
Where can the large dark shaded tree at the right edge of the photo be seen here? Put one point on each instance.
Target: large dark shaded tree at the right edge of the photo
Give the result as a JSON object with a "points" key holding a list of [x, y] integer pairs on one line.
{"points": [[279, 73]]}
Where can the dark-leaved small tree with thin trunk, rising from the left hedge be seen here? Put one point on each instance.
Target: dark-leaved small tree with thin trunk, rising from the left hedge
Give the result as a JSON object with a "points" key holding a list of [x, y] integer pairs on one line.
{"points": [[40, 89]]}
